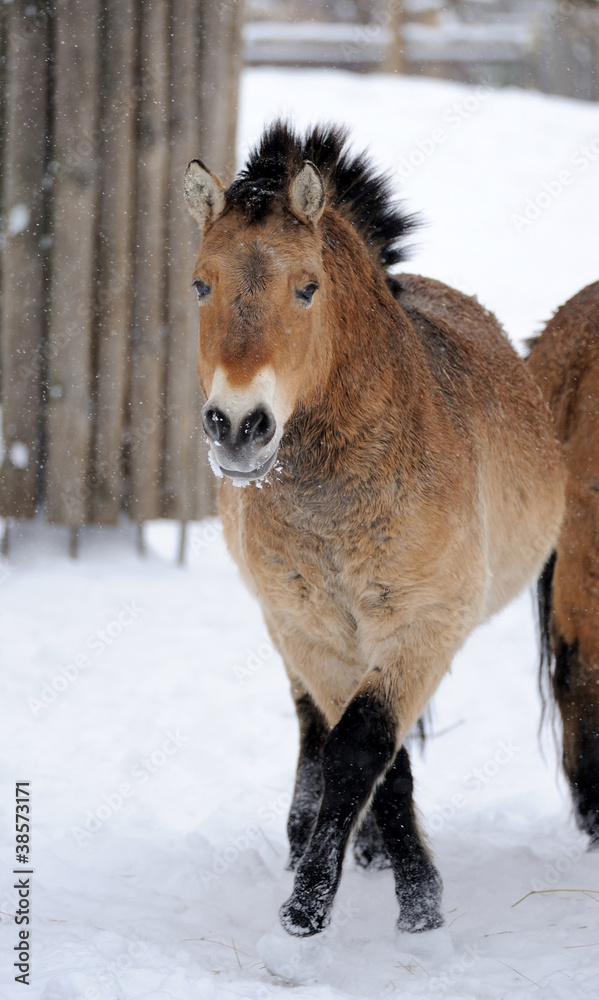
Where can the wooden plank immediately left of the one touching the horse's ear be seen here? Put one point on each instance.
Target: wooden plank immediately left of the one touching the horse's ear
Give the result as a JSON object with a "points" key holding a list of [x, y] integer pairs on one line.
{"points": [[146, 400]]}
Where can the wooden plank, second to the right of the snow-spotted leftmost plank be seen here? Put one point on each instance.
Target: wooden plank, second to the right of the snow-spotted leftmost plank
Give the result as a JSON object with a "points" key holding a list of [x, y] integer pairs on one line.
{"points": [[115, 257]]}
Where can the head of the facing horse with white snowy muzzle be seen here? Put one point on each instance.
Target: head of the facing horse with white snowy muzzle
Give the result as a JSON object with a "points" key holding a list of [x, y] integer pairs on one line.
{"points": [[261, 286]]}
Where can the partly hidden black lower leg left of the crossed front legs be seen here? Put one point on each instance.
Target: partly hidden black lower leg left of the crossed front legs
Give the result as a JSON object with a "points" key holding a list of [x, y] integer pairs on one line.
{"points": [[309, 782]]}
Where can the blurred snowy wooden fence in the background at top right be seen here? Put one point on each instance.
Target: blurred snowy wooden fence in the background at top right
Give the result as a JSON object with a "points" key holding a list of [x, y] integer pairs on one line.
{"points": [[549, 45]]}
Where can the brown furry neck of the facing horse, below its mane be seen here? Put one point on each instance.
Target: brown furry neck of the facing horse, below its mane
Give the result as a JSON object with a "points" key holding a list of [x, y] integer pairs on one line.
{"points": [[375, 392]]}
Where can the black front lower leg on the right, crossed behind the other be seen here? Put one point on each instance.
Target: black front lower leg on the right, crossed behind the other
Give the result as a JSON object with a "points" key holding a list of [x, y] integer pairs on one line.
{"points": [[417, 882]]}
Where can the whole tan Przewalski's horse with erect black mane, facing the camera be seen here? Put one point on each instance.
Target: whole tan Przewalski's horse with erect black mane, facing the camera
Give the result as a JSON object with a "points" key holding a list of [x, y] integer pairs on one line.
{"points": [[404, 481]]}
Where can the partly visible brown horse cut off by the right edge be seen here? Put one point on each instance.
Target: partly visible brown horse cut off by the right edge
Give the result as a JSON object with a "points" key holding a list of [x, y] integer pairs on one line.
{"points": [[565, 362]]}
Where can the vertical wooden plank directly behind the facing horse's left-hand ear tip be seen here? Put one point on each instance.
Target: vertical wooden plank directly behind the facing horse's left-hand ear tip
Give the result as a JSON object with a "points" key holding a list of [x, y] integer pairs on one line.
{"points": [[183, 404]]}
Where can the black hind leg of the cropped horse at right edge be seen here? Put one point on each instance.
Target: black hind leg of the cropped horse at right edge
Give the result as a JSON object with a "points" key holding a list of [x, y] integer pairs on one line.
{"points": [[576, 687]]}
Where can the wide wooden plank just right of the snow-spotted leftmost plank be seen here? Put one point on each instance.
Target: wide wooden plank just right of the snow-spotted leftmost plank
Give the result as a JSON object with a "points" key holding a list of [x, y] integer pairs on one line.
{"points": [[73, 261]]}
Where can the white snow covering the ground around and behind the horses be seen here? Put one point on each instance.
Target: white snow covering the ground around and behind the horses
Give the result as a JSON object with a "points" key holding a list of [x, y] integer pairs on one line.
{"points": [[148, 710]]}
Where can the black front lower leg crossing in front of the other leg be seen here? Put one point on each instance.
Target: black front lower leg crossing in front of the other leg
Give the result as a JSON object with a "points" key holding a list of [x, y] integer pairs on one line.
{"points": [[356, 753]]}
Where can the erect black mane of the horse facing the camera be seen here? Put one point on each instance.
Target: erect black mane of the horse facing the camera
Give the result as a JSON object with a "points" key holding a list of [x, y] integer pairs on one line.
{"points": [[353, 186]]}
